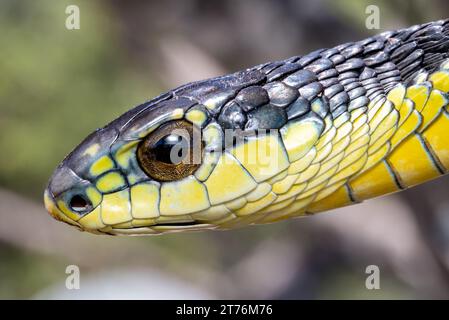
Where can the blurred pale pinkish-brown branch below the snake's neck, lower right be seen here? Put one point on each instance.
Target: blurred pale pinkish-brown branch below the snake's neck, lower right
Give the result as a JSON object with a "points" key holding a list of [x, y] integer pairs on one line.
{"points": [[379, 231]]}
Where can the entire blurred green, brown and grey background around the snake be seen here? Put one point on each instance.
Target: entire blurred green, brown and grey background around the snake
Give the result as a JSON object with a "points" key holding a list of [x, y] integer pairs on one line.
{"points": [[57, 85]]}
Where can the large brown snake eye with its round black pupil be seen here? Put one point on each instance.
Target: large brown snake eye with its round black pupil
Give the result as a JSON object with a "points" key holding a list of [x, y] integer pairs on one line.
{"points": [[172, 152]]}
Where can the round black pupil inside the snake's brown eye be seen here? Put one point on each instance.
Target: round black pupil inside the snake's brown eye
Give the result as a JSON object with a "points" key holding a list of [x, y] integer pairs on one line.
{"points": [[164, 152]]}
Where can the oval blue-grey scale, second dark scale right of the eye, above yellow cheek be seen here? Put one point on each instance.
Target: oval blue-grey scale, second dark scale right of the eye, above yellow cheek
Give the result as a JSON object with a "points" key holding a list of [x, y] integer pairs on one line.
{"points": [[266, 117]]}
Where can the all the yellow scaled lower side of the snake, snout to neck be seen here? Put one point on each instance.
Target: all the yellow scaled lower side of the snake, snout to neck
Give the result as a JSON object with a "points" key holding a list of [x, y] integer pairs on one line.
{"points": [[395, 142]]}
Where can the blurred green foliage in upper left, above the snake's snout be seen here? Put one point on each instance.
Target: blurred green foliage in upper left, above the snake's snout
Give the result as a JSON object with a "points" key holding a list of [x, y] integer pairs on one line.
{"points": [[57, 85]]}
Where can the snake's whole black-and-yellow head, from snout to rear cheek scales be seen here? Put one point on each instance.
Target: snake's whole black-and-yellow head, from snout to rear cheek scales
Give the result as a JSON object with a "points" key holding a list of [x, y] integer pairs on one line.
{"points": [[187, 160]]}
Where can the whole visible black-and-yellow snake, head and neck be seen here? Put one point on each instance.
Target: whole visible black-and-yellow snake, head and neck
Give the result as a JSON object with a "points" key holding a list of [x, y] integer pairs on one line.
{"points": [[280, 140]]}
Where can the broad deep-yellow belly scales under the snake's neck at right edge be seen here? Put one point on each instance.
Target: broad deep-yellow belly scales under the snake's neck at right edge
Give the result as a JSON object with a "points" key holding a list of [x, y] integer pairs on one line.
{"points": [[420, 144]]}
